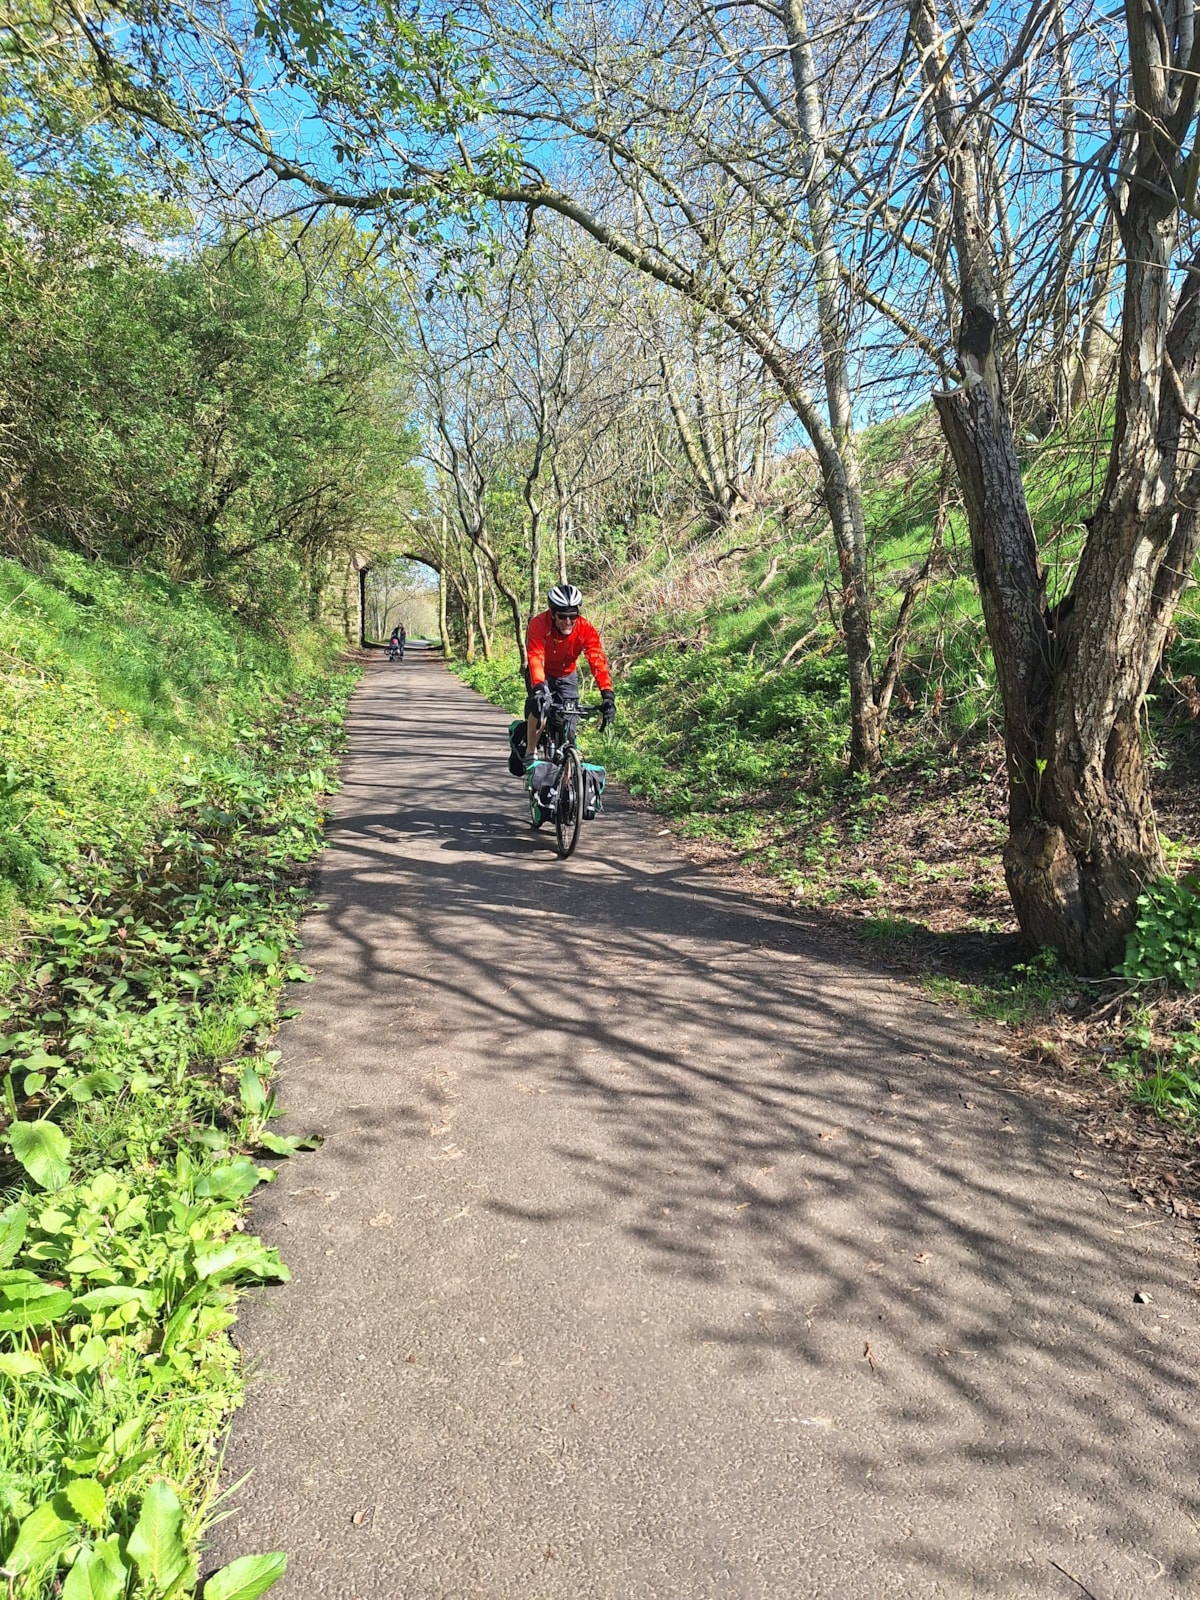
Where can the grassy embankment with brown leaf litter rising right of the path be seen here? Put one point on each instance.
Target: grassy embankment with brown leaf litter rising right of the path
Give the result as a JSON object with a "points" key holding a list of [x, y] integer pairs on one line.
{"points": [[734, 718]]}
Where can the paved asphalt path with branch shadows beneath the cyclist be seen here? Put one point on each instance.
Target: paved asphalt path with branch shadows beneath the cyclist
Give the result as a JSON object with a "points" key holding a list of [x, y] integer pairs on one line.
{"points": [[657, 1252]]}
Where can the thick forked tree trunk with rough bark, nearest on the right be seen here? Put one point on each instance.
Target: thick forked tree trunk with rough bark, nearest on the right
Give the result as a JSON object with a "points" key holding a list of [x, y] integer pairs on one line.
{"points": [[1074, 679]]}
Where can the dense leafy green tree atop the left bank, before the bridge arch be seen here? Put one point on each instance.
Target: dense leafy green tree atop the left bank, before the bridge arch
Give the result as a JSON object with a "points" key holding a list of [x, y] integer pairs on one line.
{"points": [[225, 415]]}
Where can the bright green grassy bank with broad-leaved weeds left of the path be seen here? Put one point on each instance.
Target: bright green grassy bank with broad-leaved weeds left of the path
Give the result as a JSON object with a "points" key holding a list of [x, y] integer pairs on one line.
{"points": [[161, 788]]}
